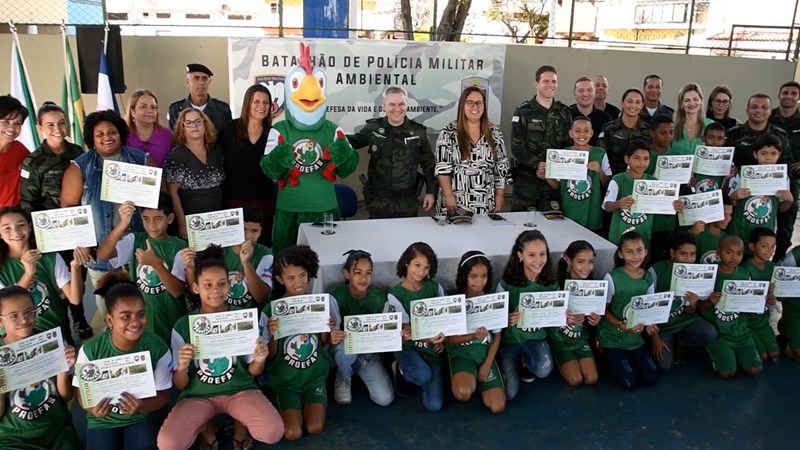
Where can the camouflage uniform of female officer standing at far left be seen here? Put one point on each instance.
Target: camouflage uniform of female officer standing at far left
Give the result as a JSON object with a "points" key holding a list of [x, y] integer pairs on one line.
{"points": [[41, 174]]}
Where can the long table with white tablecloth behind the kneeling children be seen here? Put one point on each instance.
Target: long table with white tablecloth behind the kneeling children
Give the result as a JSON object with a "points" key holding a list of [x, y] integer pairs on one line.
{"points": [[386, 239]]}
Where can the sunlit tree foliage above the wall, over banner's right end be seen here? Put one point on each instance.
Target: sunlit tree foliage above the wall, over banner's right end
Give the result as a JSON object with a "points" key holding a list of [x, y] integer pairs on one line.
{"points": [[523, 19]]}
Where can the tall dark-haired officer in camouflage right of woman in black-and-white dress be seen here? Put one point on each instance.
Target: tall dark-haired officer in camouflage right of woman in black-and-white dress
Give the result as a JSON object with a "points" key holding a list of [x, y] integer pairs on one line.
{"points": [[538, 124]]}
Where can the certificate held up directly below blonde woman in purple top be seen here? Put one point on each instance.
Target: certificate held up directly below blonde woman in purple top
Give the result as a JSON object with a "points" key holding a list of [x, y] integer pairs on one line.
{"points": [[123, 182]]}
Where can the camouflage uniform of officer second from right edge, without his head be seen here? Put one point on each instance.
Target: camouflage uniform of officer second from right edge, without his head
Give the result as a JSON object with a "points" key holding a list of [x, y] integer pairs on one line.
{"points": [[742, 137]]}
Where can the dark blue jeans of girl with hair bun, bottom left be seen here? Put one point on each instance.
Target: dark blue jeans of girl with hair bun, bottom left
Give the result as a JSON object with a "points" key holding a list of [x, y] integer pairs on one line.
{"points": [[138, 436]]}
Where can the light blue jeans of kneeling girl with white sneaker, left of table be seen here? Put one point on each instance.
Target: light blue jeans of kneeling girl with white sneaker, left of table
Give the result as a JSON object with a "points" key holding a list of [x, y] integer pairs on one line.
{"points": [[369, 368]]}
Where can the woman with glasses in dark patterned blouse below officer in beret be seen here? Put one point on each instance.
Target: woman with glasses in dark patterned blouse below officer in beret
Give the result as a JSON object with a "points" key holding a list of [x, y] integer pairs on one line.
{"points": [[193, 169]]}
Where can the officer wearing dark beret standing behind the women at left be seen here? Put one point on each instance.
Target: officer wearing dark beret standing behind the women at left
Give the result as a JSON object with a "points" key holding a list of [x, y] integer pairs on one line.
{"points": [[198, 78]]}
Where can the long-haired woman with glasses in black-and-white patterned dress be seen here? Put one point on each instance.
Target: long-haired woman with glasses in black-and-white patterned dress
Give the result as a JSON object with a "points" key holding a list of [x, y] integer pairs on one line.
{"points": [[471, 161]]}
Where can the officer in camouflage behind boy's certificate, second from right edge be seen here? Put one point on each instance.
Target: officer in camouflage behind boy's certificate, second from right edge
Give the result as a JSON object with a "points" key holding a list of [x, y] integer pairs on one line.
{"points": [[742, 136]]}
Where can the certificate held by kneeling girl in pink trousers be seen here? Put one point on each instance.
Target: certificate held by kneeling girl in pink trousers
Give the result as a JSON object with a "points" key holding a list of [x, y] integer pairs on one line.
{"points": [[229, 333]]}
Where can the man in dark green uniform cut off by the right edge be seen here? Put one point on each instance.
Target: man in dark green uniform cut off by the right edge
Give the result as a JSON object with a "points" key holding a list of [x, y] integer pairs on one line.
{"points": [[787, 118]]}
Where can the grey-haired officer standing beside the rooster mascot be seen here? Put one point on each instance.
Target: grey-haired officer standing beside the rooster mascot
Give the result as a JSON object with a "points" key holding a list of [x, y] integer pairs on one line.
{"points": [[398, 147]]}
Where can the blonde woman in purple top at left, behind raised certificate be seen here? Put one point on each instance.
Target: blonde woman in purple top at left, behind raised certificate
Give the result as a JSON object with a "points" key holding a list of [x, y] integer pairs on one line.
{"points": [[147, 133]]}
